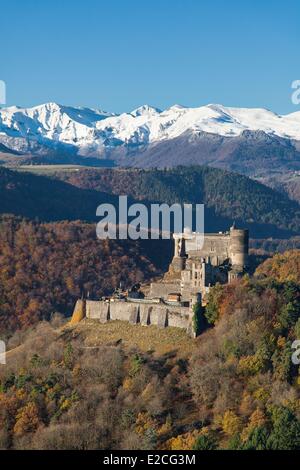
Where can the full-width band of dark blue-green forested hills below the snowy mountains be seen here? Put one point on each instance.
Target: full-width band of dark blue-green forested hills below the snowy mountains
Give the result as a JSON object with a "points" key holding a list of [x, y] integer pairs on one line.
{"points": [[227, 196]]}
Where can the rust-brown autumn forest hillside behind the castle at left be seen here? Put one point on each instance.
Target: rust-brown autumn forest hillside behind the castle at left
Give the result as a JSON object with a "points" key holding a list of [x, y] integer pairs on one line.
{"points": [[44, 268]]}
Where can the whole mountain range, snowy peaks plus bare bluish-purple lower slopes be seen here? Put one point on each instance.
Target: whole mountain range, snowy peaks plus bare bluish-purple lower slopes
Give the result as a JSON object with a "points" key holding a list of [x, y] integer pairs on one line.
{"points": [[240, 139]]}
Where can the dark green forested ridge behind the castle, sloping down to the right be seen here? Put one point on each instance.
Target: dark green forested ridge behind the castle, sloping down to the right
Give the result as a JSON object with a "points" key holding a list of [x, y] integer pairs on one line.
{"points": [[227, 196]]}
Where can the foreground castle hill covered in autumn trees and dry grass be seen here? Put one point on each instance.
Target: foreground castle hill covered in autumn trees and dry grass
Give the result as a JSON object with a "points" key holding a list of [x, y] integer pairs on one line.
{"points": [[121, 386]]}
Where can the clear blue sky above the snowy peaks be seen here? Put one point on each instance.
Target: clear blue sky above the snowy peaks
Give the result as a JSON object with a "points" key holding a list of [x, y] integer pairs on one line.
{"points": [[119, 54]]}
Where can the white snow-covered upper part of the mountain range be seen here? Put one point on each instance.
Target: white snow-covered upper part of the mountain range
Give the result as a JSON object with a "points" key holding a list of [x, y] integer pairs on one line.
{"points": [[92, 131]]}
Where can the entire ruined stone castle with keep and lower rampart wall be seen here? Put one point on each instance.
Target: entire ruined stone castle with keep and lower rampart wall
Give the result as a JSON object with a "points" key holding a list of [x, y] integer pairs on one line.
{"points": [[198, 263]]}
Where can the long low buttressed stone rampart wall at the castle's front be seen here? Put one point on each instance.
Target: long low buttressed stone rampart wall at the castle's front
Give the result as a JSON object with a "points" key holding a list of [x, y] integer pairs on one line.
{"points": [[138, 312]]}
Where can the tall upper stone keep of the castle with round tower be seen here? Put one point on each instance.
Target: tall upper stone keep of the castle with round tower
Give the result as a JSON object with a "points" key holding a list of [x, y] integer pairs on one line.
{"points": [[200, 261]]}
